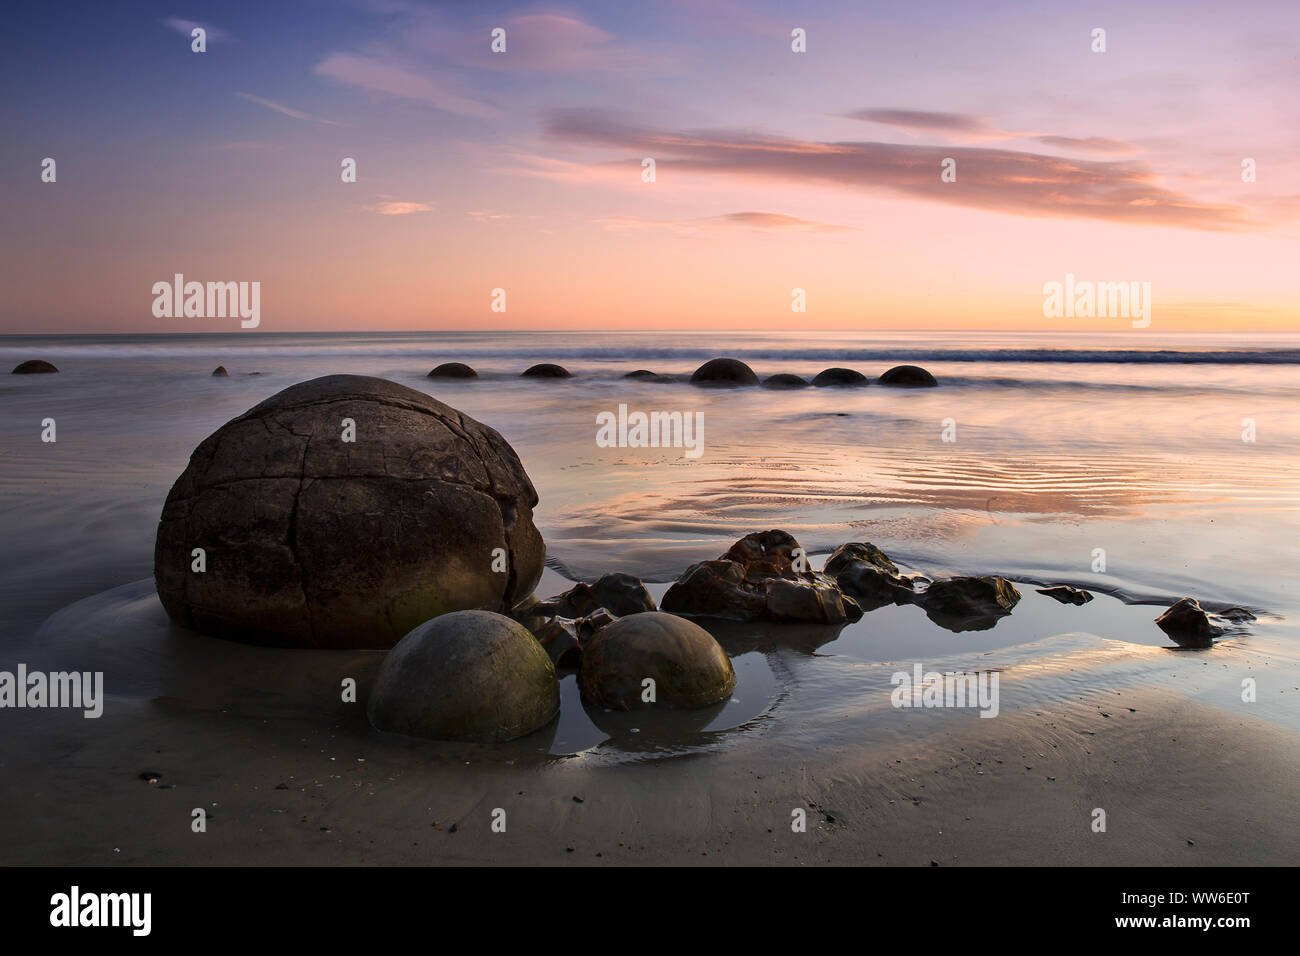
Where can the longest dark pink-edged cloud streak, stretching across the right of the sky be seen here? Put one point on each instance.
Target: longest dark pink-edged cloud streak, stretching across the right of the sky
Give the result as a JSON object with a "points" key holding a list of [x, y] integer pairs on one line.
{"points": [[1007, 181]]}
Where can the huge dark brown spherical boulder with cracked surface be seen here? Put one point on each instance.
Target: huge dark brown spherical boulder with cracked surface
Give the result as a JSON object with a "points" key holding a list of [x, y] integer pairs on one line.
{"points": [[314, 542]]}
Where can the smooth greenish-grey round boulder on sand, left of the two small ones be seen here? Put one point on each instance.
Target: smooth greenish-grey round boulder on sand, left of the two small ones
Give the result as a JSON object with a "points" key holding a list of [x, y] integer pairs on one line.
{"points": [[469, 676]]}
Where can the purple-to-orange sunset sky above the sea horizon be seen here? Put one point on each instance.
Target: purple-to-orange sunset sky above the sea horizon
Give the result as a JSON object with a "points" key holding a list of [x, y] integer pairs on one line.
{"points": [[774, 170]]}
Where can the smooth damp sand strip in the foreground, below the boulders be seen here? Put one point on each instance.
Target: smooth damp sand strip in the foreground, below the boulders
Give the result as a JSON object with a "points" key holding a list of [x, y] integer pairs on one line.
{"points": [[1182, 785]]}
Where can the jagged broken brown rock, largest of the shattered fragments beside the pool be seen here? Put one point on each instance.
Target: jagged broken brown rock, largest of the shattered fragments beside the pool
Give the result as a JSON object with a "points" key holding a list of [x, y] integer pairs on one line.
{"points": [[764, 577]]}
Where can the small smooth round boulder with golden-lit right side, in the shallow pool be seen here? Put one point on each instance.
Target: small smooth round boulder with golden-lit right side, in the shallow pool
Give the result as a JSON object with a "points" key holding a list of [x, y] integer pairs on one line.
{"points": [[688, 667]]}
